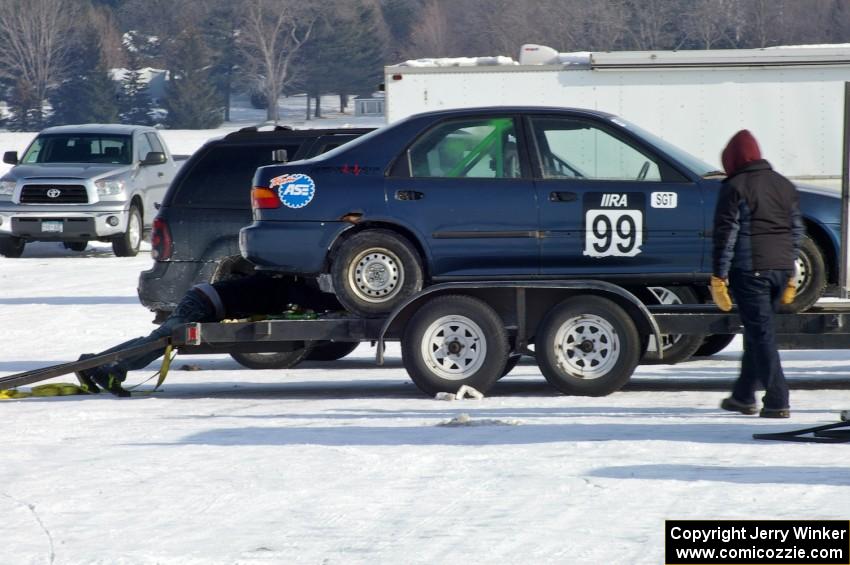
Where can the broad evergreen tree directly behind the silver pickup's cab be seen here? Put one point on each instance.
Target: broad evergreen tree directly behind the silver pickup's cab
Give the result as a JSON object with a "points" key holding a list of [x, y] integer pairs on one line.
{"points": [[88, 95]]}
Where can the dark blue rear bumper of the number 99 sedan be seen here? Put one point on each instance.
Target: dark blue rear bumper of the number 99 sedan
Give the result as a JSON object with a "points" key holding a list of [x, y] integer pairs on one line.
{"points": [[292, 247]]}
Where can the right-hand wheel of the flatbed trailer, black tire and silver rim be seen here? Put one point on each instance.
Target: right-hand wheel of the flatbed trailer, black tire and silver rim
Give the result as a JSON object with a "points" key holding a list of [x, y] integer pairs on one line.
{"points": [[587, 346]]}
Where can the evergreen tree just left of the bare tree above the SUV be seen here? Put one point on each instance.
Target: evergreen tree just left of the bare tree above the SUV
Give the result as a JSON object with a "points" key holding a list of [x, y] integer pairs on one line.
{"points": [[190, 97]]}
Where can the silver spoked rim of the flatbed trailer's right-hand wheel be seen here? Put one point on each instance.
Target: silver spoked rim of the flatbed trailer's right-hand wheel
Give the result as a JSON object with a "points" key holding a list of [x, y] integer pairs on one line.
{"points": [[587, 346]]}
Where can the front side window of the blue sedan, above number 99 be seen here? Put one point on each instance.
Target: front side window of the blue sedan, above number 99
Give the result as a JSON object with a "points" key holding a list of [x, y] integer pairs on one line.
{"points": [[577, 149]]}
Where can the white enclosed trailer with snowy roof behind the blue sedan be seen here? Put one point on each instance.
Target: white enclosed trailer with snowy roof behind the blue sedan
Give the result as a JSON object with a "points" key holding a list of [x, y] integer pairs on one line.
{"points": [[791, 98]]}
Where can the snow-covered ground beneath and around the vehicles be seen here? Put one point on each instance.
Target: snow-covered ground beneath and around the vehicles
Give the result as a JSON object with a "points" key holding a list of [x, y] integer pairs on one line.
{"points": [[346, 462]]}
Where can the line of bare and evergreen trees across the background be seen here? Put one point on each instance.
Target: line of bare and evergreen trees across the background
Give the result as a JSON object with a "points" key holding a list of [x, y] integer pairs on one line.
{"points": [[57, 56]]}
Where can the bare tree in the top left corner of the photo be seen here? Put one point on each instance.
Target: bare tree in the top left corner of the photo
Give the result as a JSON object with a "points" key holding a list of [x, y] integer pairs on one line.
{"points": [[34, 43]]}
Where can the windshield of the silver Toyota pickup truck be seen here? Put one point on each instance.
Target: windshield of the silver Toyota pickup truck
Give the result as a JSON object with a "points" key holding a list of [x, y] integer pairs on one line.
{"points": [[80, 148]]}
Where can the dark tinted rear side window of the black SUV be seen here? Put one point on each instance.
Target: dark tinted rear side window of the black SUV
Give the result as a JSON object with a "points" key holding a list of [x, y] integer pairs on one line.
{"points": [[222, 177]]}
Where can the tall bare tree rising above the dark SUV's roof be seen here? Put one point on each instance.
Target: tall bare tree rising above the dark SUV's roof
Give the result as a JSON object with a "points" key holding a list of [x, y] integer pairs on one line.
{"points": [[272, 33]]}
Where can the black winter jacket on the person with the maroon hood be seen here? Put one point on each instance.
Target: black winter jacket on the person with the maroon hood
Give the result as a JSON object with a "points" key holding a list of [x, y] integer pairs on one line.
{"points": [[757, 222]]}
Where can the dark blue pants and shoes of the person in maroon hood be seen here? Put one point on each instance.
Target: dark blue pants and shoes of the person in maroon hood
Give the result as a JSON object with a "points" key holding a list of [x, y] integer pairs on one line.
{"points": [[757, 295]]}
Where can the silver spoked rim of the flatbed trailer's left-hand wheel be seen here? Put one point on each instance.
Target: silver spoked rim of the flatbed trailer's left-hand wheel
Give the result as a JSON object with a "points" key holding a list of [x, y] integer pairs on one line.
{"points": [[454, 347]]}
